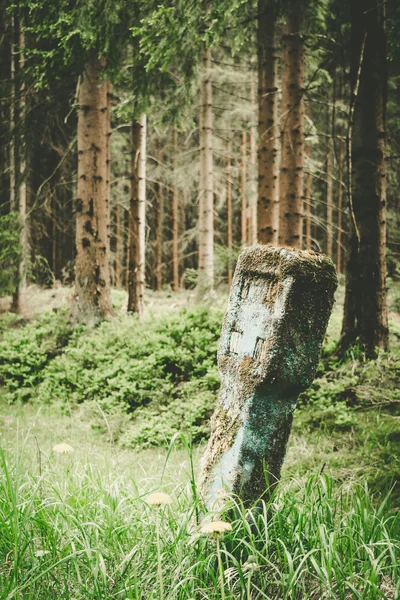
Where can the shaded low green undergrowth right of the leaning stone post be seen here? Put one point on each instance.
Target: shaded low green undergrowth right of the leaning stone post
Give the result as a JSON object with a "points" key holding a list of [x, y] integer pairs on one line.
{"points": [[351, 416]]}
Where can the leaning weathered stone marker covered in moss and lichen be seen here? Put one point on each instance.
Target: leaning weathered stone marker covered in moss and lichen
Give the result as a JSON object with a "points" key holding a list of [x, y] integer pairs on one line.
{"points": [[271, 340]]}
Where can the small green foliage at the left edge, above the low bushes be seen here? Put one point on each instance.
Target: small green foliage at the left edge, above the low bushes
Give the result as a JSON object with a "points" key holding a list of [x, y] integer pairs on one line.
{"points": [[10, 253]]}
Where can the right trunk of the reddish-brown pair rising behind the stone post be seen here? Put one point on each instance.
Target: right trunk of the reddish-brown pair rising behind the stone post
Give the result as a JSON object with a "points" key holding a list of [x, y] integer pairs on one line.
{"points": [[291, 178]]}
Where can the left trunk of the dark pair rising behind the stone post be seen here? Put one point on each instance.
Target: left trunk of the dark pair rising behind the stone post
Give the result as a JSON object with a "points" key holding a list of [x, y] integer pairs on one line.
{"points": [[268, 126]]}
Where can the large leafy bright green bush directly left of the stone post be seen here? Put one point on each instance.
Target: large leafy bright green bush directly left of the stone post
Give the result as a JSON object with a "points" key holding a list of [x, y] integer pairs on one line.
{"points": [[164, 371]]}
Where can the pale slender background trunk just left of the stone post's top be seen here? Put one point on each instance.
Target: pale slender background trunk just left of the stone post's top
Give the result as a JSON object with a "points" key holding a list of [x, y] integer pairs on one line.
{"points": [[206, 203]]}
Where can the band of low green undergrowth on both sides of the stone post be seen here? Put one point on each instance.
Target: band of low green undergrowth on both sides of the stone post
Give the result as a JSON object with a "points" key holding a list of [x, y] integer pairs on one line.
{"points": [[142, 381]]}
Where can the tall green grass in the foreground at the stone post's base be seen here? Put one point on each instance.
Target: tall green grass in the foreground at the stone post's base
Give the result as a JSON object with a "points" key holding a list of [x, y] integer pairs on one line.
{"points": [[74, 531]]}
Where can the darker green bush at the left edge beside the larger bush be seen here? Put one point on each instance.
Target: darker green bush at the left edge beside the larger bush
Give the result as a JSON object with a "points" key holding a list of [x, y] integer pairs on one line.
{"points": [[26, 350]]}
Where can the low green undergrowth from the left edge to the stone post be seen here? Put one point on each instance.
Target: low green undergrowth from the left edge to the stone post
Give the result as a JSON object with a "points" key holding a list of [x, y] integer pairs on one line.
{"points": [[141, 381]]}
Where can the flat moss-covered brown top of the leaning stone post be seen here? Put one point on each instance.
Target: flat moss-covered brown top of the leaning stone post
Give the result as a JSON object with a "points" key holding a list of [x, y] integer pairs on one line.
{"points": [[283, 261]]}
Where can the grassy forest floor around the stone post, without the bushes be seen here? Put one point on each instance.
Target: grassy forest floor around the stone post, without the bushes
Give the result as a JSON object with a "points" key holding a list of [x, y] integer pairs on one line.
{"points": [[77, 526]]}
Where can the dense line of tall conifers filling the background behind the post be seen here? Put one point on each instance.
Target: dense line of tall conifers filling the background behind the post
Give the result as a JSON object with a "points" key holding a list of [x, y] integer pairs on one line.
{"points": [[145, 143]]}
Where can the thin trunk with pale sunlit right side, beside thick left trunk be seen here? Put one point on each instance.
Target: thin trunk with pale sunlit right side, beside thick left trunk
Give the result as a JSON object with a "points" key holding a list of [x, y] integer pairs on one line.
{"points": [[137, 215]]}
